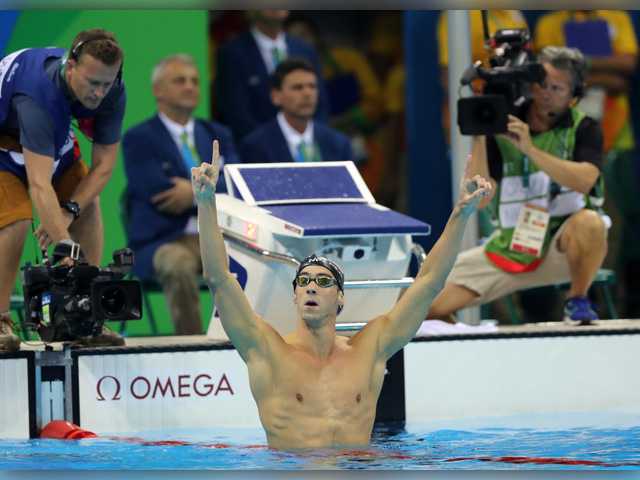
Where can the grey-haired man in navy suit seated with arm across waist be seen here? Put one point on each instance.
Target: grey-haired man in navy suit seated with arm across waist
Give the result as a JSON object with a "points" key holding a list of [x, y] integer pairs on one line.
{"points": [[160, 209]]}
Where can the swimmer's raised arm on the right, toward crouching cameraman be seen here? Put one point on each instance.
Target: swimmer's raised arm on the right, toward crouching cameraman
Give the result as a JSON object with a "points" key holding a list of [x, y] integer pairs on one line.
{"points": [[395, 329]]}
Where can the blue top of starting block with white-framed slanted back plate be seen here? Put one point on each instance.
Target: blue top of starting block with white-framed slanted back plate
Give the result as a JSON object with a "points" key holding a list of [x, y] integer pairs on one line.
{"points": [[318, 199]]}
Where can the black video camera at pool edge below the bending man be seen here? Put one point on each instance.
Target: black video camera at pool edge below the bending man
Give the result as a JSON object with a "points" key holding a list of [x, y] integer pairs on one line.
{"points": [[67, 302]]}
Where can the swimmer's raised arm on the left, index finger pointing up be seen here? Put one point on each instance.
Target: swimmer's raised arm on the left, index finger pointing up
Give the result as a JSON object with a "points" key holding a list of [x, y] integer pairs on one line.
{"points": [[245, 329]]}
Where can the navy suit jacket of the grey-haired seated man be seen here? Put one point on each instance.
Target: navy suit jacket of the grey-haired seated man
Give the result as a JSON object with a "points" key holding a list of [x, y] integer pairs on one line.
{"points": [[151, 158]]}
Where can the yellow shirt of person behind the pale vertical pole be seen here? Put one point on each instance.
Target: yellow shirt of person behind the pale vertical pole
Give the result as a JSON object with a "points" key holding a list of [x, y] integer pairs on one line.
{"points": [[497, 19]]}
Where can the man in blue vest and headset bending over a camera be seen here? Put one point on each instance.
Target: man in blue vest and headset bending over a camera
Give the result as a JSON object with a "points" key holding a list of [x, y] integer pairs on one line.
{"points": [[41, 91]]}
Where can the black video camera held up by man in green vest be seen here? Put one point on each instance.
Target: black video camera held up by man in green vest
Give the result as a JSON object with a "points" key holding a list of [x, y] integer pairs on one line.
{"points": [[507, 85]]}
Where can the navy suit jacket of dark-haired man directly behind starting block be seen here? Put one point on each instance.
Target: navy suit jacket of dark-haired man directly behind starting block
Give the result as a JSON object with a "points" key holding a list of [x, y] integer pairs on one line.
{"points": [[267, 144]]}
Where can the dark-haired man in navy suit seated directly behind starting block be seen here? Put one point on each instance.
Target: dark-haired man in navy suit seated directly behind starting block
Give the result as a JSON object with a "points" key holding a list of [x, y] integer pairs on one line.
{"points": [[293, 136]]}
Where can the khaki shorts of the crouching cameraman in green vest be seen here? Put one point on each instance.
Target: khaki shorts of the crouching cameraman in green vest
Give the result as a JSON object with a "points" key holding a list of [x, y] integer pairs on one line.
{"points": [[476, 272]]}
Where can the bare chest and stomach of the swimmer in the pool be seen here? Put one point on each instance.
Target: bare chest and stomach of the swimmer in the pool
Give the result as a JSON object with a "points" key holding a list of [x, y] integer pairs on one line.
{"points": [[305, 401]]}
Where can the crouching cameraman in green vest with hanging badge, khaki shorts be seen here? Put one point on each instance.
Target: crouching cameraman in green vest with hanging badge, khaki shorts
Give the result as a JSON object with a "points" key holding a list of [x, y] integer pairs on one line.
{"points": [[546, 169]]}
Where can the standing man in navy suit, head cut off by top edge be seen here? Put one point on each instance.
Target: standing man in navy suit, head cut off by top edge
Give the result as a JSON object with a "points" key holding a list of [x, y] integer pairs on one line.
{"points": [[243, 68]]}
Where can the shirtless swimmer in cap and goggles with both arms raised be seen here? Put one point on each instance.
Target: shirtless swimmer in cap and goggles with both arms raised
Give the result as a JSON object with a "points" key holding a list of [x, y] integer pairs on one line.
{"points": [[314, 388]]}
